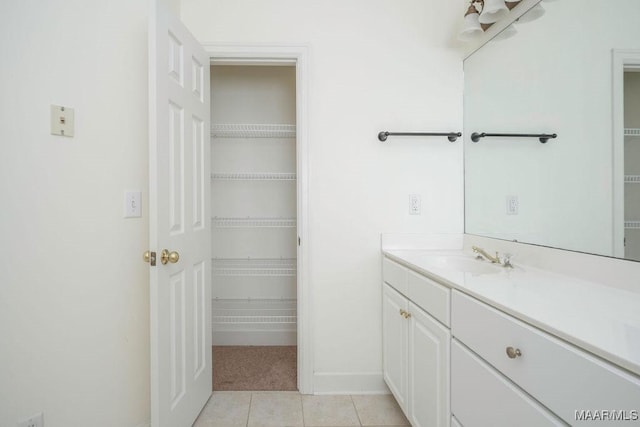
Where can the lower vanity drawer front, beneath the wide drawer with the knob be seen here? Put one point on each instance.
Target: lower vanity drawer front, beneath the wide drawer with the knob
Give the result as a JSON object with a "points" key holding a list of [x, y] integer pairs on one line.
{"points": [[481, 396]]}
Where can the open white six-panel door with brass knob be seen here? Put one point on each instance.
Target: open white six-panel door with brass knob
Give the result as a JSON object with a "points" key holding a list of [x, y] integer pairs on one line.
{"points": [[180, 222]]}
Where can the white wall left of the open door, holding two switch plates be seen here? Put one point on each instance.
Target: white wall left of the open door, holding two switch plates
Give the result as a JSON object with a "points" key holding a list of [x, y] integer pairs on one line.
{"points": [[74, 313]]}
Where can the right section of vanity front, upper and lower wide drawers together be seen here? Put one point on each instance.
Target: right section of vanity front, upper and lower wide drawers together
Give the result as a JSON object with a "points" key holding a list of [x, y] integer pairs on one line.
{"points": [[504, 356]]}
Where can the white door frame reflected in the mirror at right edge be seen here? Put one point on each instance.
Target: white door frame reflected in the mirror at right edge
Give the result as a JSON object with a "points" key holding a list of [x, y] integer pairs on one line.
{"points": [[622, 60]]}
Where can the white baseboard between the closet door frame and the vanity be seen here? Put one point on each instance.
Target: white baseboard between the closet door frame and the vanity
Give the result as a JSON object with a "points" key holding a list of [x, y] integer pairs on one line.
{"points": [[349, 383]]}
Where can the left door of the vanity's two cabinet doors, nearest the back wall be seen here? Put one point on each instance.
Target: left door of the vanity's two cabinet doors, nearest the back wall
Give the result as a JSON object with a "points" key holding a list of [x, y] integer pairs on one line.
{"points": [[394, 343]]}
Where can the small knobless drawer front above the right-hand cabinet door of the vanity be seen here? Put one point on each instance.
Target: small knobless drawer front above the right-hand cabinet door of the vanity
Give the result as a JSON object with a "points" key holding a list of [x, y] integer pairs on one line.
{"points": [[432, 297]]}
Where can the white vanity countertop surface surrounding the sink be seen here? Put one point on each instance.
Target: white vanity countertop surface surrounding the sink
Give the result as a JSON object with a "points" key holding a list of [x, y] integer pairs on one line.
{"points": [[600, 319]]}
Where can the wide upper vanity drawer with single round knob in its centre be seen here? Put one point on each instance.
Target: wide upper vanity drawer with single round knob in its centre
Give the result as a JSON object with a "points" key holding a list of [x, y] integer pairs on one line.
{"points": [[562, 377]]}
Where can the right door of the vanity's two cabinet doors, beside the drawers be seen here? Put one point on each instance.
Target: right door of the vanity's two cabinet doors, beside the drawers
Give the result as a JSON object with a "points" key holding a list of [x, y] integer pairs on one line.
{"points": [[429, 347]]}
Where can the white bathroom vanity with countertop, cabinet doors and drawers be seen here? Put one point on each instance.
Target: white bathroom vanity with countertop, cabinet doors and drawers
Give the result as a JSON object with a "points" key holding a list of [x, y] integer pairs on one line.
{"points": [[468, 342]]}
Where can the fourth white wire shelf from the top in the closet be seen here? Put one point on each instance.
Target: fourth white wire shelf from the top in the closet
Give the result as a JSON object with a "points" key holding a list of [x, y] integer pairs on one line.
{"points": [[283, 267]]}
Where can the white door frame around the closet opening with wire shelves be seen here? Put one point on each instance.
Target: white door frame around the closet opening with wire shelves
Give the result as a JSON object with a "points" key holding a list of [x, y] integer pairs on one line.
{"points": [[298, 55]]}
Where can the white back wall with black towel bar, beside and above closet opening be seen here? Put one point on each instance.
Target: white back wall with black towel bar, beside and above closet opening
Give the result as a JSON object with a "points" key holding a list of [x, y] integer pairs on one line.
{"points": [[373, 65]]}
